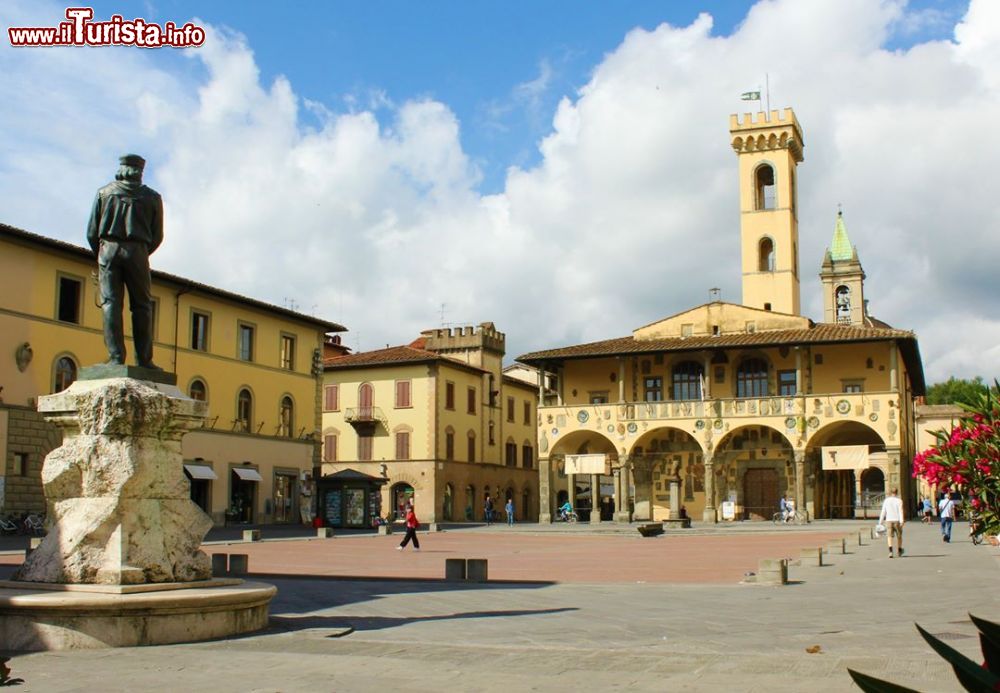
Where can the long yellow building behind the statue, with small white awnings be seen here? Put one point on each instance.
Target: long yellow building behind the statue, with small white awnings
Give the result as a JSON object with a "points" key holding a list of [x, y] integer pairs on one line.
{"points": [[258, 366]]}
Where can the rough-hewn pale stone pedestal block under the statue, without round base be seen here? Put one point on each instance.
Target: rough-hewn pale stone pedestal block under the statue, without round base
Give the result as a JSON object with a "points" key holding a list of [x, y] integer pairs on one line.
{"points": [[116, 488]]}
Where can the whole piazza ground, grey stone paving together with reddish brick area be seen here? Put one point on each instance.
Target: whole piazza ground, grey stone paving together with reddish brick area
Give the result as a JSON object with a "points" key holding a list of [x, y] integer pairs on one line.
{"points": [[574, 610]]}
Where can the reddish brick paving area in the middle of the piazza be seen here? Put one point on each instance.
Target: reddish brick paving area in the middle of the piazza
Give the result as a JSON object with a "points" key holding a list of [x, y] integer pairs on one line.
{"points": [[564, 558]]}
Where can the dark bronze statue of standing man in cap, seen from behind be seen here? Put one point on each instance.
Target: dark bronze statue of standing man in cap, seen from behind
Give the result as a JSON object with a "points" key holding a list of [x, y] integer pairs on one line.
{"points": [[126, 227]]}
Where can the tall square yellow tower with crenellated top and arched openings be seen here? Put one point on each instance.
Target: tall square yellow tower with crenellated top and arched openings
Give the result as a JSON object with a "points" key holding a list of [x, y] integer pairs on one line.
{"points": [[769, 149]]}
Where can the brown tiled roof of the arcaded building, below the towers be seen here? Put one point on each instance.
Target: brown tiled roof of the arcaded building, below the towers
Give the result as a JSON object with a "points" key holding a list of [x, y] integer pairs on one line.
{"points": [[821, 333]]}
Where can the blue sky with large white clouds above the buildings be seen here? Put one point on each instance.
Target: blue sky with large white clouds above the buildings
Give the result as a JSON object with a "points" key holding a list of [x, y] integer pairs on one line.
{"points": [[562, 171]]}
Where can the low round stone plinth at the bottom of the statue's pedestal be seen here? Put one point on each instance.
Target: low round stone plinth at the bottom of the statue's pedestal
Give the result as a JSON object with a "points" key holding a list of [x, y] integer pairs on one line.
{"points": [[33, 620]]}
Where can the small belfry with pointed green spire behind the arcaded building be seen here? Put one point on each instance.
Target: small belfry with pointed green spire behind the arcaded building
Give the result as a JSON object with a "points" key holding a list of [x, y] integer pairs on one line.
{"points": [[843, 280]]}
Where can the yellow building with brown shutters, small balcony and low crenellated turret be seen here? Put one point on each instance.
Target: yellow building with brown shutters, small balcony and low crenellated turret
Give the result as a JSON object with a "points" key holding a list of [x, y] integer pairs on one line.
{"points": [[438, 422]]}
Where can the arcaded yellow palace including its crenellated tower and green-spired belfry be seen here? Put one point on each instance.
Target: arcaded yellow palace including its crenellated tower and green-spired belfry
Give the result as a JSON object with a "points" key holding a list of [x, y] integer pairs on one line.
{"points": [[720, 410]]}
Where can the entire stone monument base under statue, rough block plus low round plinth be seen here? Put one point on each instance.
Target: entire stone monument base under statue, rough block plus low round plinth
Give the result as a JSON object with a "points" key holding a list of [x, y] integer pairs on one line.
{"points": [[122, 564]]}
